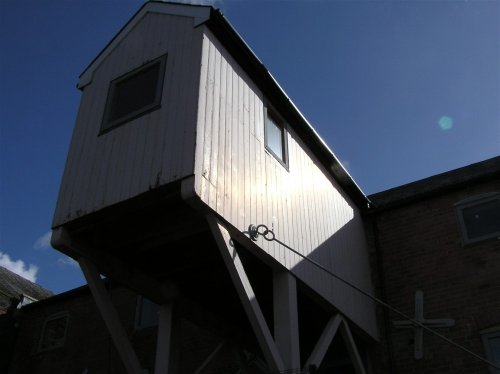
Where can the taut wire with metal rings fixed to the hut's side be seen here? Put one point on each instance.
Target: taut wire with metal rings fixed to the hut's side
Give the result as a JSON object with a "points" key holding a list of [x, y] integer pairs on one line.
{"points": [[268, 235]]}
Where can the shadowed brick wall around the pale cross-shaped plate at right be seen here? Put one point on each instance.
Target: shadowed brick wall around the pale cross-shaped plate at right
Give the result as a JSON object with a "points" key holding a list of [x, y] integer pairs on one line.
{"points": [[419, 248]]}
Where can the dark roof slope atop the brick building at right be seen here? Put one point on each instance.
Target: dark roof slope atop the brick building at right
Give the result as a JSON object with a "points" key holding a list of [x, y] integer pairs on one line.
{"points": [[475, 173]]}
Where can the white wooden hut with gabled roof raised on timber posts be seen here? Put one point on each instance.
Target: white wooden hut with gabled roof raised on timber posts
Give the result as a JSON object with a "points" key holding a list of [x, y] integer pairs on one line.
{"points": [[183, 141]]}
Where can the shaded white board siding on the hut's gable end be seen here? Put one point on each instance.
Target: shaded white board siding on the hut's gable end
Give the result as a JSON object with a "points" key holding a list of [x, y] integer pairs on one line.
{"points": [[150, 151]]}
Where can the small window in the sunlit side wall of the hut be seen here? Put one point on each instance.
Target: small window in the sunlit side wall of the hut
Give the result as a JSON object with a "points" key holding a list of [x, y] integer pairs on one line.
{"points": [[275, 136]]}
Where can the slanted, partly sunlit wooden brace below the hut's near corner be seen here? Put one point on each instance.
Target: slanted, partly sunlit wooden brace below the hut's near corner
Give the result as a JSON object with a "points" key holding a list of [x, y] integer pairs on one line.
{"points": [[246, 294]]}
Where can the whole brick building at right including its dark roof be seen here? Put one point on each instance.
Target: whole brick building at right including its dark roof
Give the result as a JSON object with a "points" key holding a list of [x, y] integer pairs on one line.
{"points": [[440, 236]]}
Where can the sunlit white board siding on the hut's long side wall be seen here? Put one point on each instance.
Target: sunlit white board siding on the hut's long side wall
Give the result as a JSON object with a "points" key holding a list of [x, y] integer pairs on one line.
{"points": [[246, 185]]}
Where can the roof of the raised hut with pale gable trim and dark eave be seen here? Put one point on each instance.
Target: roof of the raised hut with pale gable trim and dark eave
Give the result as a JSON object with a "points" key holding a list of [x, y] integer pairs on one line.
{"points": [[257, 71]]}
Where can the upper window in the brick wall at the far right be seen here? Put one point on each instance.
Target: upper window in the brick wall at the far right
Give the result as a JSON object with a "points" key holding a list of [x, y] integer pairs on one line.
{"points": [[479, 217]]}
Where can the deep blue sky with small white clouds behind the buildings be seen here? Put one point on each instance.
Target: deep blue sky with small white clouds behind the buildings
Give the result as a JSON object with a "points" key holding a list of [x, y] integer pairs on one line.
{"points": [[399, 90]]}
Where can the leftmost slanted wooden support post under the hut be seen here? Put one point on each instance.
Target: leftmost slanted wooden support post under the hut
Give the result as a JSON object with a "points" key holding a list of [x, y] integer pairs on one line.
{"points": [[110, 317]]}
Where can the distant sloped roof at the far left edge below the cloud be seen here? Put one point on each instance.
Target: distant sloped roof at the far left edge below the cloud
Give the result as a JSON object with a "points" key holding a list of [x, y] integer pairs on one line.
{"points": [[13, 285]]}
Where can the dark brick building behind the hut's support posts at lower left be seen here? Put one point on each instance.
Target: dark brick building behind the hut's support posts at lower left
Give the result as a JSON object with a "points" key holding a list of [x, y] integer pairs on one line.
{"points": [[66, 334]]}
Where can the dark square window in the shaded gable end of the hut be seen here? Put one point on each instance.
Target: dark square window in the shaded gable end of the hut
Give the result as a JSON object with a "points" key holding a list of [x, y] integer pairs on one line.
{"points": [[134, 94]]}
